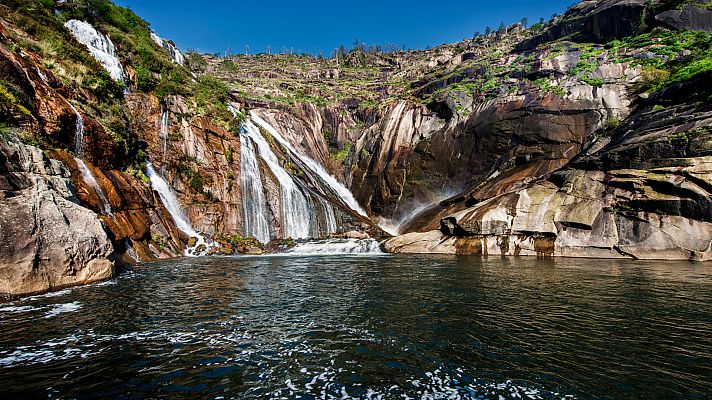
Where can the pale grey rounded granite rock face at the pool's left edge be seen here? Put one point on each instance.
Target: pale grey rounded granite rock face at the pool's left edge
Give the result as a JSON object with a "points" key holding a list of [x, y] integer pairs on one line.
{"points": [[48, 241]]}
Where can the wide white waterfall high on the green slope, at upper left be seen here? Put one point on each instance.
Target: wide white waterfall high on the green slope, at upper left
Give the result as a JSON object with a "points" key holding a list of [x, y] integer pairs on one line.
{"points": [[99, 46]]}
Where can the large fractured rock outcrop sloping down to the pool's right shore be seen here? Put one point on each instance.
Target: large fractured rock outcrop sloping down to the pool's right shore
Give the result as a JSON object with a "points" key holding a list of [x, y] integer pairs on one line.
{"points": [[643, 193]]}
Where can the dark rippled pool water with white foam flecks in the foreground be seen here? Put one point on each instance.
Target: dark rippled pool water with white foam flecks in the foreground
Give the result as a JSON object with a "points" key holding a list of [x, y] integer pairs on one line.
{"points": [[369, 327]]}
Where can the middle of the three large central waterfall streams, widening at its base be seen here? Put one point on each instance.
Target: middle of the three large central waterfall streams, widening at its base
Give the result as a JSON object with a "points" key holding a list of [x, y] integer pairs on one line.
{"points": [[297, 209]]}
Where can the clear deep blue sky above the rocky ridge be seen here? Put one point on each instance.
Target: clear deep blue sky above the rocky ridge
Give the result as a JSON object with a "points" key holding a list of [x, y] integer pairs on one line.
{"points": [[319, 25]]}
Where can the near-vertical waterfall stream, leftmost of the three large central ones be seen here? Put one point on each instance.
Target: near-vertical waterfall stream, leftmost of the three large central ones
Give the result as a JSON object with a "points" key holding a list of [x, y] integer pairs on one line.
{"points": [[254, 205]]}
